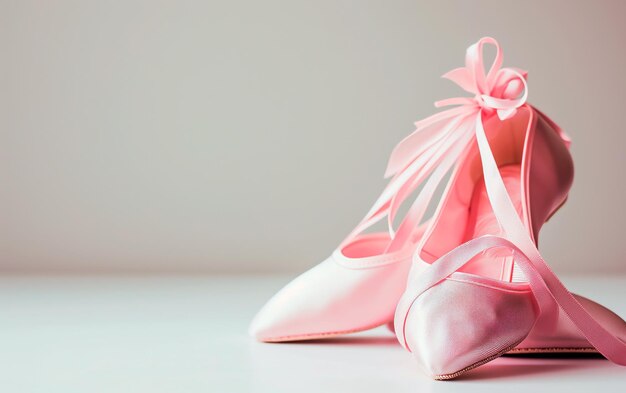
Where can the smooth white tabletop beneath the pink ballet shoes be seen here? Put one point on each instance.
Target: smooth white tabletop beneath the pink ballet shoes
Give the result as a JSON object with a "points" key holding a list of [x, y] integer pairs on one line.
{"points": [[188, 334]]}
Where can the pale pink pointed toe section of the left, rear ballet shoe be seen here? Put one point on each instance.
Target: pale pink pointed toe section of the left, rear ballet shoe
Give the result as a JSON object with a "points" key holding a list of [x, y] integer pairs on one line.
{"points": [[329, 300]]}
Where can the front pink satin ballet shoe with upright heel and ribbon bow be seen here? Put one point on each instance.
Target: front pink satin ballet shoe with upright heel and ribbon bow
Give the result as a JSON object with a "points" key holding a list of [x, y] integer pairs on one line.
{"points": [[478, 287]]}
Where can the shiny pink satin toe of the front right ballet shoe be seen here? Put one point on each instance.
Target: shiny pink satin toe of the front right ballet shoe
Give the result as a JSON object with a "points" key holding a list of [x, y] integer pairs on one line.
{"points": [[484, 317]]}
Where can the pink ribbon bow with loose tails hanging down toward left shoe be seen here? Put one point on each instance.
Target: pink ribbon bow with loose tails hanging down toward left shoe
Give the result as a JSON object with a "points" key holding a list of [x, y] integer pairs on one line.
{"points": [[426, 155]]}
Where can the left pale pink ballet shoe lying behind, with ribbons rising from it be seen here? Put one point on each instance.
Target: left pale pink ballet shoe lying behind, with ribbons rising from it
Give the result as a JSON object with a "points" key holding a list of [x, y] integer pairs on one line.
{"points": [[359, 285]]}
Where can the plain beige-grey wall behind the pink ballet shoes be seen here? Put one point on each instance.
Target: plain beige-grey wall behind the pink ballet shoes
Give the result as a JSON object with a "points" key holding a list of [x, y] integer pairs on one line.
{"points": [[250, 136]]}
